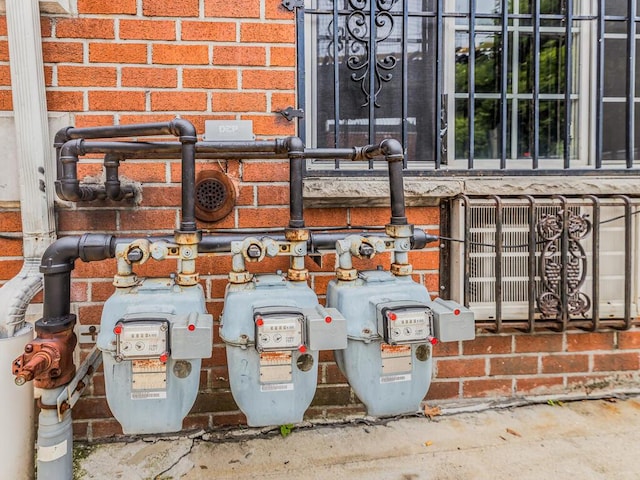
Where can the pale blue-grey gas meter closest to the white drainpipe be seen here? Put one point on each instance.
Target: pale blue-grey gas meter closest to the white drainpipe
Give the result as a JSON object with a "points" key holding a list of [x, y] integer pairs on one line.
{"points": [[153, 337]]}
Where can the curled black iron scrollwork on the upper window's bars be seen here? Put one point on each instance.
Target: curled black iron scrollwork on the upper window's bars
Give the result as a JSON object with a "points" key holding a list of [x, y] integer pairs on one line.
{"points": [[361, 46]]}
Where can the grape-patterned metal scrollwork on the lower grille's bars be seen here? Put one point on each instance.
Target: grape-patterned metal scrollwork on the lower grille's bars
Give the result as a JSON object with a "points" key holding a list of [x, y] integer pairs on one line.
{"points": [[550, 229]]}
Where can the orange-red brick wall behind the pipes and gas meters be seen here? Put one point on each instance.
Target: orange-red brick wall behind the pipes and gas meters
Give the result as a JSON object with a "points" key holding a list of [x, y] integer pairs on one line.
{"points": [[129, 61]]}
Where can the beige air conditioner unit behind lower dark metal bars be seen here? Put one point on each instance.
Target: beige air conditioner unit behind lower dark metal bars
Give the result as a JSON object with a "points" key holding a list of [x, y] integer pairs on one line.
{"points": [[531, 262]]}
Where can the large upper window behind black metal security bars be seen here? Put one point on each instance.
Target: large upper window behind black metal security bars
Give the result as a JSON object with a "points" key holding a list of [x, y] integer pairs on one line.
{"points": [[473, 86]]}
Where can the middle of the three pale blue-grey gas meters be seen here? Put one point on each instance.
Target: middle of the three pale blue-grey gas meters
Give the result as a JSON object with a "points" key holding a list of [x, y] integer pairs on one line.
{"points": [[273, 329]]}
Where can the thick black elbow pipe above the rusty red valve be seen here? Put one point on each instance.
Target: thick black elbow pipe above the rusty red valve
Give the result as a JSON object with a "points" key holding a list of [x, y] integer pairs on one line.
{"points": [[58, 262]]}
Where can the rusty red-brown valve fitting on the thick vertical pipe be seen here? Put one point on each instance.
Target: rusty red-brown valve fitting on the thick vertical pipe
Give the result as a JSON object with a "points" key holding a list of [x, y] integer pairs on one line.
{"points": [[48, 359]]}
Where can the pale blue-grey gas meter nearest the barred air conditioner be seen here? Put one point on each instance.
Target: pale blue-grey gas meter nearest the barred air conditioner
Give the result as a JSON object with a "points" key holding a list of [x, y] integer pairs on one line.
{"points": [[391, 327]]}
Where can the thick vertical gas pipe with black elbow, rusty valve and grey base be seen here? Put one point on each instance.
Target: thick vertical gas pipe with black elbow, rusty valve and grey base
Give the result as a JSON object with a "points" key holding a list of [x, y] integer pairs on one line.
{"points": [[48, 359]]}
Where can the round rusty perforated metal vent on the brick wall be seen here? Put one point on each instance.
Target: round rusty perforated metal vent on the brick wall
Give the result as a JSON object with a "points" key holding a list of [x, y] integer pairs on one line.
{"points": [[215, 196]]}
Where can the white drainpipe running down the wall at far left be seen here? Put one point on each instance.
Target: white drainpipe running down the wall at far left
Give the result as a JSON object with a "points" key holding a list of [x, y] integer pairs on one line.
{"points": [[35, 163]]}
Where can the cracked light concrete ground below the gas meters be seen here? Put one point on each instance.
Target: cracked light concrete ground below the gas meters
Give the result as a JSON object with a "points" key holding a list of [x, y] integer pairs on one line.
{"points": [[594, 439]]}
